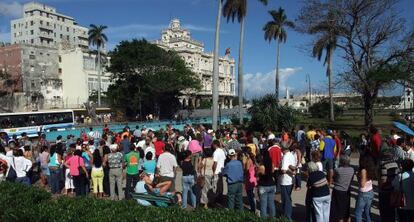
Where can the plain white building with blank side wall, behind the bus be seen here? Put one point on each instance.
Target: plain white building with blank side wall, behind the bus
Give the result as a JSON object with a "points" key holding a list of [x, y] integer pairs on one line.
{"points": [[80, 76]]}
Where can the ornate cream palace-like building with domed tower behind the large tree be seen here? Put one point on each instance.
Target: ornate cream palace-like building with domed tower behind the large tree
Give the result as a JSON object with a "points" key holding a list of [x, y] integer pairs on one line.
{"points": [[179, 39]]}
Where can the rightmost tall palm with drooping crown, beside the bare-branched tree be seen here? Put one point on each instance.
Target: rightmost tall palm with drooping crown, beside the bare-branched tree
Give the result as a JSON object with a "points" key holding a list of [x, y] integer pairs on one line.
{"points": [[329, 31]]}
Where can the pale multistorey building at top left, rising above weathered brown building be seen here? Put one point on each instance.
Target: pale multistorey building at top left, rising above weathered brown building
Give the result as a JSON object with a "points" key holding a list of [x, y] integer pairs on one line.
{"points": [[42, 25]]}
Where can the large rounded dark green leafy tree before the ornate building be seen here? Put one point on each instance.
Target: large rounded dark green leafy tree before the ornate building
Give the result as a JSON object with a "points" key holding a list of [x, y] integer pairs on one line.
{"points": [[148, 79]]}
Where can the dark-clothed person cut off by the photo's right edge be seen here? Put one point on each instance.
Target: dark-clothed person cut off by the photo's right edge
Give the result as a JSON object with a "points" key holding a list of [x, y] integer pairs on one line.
{"points": [[404, 182]]}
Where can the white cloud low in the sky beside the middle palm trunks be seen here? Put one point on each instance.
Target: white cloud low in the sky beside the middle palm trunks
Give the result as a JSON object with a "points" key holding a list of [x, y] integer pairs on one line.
{"points": [[259, 84]]}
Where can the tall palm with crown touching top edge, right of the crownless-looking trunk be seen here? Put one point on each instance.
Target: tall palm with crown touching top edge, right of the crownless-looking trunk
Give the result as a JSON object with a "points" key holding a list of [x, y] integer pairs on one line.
{"points": [[233, 9]]}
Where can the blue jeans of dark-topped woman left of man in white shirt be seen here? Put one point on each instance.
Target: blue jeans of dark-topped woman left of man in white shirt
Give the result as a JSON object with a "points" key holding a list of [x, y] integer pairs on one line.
{"points": [[267, 200]]}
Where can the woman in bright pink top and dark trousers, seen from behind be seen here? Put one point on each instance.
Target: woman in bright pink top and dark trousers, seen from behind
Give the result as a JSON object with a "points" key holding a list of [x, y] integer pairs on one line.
{"points": [[75, 164]]}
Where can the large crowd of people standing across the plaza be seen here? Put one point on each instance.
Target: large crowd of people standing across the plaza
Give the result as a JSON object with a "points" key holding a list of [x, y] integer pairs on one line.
{"points": [[227, 161]]}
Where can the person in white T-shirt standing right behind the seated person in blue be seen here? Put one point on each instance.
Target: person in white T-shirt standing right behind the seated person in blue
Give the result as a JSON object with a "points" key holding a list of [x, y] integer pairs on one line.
{"points": [[166, 166]]}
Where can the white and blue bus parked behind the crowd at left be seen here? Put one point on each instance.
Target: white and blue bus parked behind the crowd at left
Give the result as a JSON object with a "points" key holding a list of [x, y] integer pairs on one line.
{"points": [[33, 123]]}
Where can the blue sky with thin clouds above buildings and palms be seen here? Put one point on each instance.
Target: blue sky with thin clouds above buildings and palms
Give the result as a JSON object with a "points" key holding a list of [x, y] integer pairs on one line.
{"points": [[129, 19]]}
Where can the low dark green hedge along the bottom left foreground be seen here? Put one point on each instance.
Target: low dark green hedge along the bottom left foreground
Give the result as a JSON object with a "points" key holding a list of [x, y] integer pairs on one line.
{"points": [[22, 203]]}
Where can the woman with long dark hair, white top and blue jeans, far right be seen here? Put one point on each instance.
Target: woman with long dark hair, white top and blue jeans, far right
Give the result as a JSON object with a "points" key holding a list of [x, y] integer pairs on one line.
{"points": [[366, 174]]}
